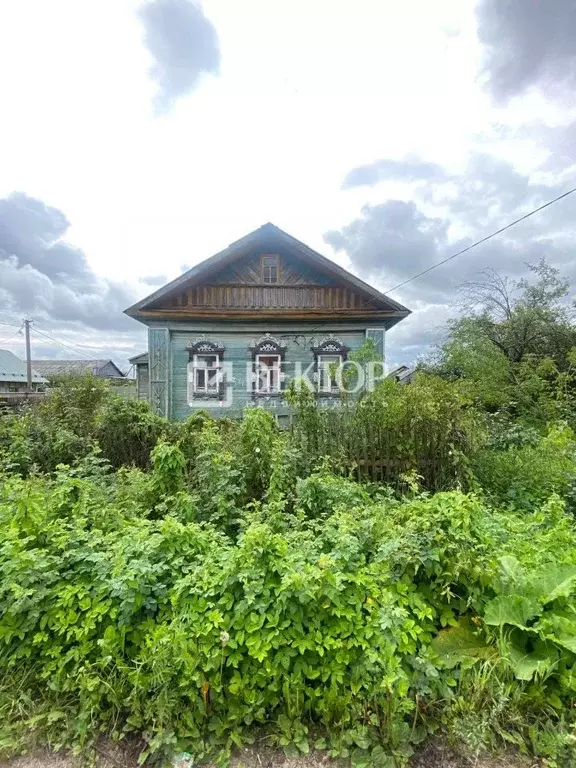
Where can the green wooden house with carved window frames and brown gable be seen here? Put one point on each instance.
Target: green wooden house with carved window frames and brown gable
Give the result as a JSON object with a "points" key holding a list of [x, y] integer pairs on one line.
{"points": [[234, 329]]}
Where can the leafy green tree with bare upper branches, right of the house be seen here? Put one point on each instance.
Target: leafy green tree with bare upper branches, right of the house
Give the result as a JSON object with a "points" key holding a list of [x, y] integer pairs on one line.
{"points": [[512, 344]]}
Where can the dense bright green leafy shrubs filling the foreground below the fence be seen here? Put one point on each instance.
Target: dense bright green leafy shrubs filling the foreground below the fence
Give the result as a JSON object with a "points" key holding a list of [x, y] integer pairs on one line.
{"points": [[359, 625]]}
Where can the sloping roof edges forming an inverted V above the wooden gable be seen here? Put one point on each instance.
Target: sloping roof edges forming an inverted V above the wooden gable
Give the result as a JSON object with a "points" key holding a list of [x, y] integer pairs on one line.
{"points": [[237, 249]]}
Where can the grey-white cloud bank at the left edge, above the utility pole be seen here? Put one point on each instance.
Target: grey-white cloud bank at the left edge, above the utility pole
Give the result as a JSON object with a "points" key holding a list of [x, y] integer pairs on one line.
{"points": [[44, 276]]}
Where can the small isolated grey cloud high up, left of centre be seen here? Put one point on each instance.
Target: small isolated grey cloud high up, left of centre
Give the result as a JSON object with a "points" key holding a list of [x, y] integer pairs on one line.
{"points": [[184, 46]]}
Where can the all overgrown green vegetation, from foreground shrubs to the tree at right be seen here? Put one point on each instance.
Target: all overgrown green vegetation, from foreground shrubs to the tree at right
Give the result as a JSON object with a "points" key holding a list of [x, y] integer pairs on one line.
{"points": [[208, 583]]}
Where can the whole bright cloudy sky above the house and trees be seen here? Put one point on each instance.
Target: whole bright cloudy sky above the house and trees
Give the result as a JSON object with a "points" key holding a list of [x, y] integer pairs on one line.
{"points": [[139, 137]]}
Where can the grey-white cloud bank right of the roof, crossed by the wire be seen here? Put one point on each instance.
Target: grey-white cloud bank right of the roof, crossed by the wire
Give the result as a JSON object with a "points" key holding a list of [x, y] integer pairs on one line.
{"points": [[392, 241]]}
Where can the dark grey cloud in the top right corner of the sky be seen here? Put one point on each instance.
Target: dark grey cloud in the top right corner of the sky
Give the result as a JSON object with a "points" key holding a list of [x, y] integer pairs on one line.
{"points": [[528, 43]]}
